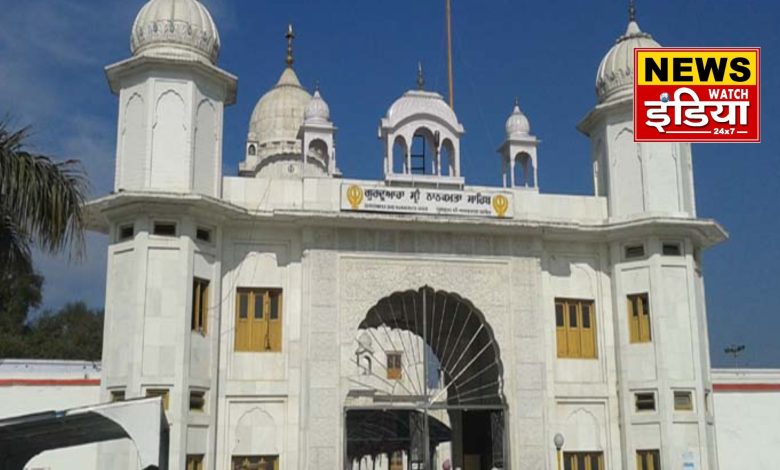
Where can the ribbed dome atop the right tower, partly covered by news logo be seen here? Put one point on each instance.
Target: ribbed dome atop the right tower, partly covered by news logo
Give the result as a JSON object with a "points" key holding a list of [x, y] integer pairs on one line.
{"points": [[615, 78]]}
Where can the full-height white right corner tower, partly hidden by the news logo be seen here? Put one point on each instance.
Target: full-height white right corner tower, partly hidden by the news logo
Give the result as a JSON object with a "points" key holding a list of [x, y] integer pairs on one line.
{"points": [[662, 351]]}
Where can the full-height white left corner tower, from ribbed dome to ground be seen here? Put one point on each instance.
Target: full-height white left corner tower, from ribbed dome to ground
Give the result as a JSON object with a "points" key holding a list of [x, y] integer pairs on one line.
{"points": [[162, 306]]}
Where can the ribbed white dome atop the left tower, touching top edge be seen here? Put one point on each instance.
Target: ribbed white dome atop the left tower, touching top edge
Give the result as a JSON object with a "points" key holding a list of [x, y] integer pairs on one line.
{"points": [[175, 28]]}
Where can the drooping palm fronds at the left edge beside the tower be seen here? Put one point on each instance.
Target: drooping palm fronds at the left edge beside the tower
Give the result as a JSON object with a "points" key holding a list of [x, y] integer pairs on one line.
{"points": [[41, 203]]}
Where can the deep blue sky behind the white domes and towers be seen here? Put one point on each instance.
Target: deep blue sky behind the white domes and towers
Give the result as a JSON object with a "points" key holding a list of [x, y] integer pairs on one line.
{"points": [[364, 54]]}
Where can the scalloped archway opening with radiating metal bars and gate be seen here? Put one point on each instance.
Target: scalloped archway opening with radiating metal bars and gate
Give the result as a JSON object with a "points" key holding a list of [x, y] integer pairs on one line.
{"points": [[426, 391]]}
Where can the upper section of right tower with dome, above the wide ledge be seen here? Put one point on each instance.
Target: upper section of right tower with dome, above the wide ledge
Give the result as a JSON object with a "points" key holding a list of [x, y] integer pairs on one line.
{"points": [[636, 178]]}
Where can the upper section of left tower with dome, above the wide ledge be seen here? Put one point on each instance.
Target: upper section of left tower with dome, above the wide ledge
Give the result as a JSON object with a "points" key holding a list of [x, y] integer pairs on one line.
{"points": [[171, 101]]}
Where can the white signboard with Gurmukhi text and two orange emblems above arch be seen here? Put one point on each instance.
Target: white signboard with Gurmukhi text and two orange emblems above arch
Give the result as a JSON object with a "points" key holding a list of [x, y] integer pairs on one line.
{"points": [[377, 198]]}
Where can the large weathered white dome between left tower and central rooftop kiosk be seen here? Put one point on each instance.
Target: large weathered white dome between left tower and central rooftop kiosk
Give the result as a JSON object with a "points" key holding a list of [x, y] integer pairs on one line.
{"points": [[278, 116]]}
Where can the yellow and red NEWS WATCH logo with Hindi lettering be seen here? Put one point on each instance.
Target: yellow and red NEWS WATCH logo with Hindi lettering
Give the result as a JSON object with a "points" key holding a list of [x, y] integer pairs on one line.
{"points": [[697, 95]]}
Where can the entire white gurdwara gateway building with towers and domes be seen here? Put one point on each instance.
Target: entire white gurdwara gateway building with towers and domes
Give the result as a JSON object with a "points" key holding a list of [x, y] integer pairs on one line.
{"points": [[293, 318]]}
